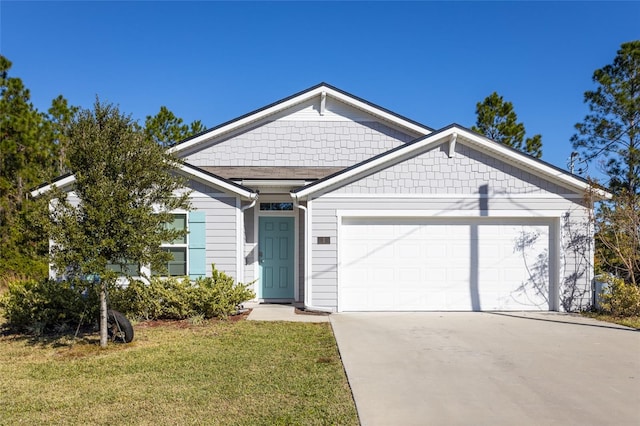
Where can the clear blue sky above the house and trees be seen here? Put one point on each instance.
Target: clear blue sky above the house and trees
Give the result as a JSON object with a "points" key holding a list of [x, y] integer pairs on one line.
{"points": [[429, 61]]}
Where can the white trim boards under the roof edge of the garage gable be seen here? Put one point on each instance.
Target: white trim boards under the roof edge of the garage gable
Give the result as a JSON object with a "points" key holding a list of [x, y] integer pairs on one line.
{"points": [[408, 151]]}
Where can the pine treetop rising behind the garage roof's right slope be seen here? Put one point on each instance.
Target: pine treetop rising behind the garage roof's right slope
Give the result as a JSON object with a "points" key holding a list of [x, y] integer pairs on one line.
{"points": [[497, 120]]}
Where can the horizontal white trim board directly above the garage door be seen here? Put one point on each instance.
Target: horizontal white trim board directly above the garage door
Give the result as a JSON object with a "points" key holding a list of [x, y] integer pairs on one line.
{"points": [[450, 213]]}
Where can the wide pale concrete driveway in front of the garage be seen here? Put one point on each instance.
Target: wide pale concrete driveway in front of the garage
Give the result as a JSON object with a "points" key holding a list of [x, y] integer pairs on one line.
{"points": [[489, 369]]}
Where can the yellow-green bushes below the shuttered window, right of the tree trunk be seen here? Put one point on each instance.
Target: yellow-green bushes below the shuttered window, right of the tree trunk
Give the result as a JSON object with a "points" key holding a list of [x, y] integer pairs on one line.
{"points": [[173, 298]]}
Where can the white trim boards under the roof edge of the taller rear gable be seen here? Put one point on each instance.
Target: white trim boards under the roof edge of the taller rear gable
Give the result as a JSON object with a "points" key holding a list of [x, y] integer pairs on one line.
{"points": [[381, 114]]}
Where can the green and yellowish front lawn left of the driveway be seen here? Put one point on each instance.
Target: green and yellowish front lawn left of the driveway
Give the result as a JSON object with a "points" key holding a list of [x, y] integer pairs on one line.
{"points": [[227, 373]]}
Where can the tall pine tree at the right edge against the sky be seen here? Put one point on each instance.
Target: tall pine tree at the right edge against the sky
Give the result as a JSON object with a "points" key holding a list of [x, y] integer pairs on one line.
{"points": [[611, 130]]}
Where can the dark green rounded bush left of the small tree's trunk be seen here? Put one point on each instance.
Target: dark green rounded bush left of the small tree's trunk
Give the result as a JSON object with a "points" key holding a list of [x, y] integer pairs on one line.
{"points": [[42, 306]]}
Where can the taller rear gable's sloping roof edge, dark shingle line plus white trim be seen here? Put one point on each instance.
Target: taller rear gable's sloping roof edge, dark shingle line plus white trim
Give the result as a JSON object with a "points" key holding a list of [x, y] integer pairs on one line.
{"points": [[320, 91]]}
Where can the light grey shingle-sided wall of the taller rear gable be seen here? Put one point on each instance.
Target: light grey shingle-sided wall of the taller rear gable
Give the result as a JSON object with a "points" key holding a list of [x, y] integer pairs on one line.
{"points": [[301, 143]]}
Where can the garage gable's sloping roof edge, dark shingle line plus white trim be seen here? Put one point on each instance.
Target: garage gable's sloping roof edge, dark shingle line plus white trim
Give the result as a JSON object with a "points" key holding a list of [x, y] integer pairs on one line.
{"points": [[450, 133]]}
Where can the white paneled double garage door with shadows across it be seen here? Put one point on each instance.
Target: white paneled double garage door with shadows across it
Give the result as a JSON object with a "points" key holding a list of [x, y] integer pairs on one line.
{"points": [[399, 264]]}
